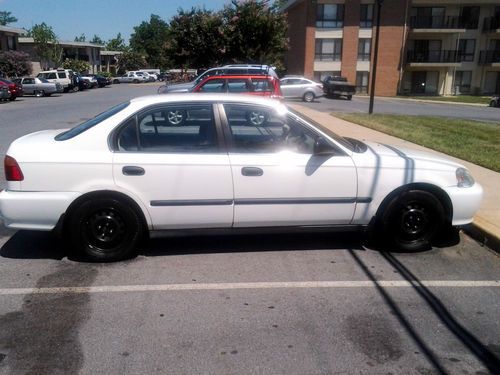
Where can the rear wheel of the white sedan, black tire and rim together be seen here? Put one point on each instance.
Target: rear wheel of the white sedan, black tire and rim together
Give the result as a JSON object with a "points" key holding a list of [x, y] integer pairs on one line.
{"points": [[105, 229]]}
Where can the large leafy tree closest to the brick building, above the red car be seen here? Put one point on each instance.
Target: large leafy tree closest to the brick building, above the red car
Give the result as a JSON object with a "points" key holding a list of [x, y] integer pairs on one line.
{"points": [[255, 32]]}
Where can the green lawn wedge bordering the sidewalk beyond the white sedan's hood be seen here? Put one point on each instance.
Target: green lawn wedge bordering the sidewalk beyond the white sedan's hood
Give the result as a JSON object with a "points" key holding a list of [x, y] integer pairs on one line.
{"points": [[473, 141]]}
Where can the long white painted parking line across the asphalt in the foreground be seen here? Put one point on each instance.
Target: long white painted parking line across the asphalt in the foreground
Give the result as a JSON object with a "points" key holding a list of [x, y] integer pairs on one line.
{"points": [[254, 285]]}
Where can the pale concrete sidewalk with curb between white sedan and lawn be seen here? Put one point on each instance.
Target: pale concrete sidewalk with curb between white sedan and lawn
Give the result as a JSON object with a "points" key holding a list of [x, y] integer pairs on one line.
{"points": [[486, 225]]}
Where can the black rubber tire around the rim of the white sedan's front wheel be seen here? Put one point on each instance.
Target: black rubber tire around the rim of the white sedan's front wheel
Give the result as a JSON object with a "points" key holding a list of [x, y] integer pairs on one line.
{"points": [[392, 217]]}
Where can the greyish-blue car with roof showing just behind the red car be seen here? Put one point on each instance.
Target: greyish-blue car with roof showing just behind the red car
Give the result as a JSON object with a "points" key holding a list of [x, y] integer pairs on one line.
{"points": [[226, 69]]}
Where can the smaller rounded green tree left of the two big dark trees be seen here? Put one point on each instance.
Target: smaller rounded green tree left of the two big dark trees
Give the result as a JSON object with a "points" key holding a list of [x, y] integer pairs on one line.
{"points": [[149, 39]]}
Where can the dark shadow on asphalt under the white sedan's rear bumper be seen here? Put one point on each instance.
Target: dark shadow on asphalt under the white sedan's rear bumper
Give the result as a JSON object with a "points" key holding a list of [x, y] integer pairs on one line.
{"points": [[26, 244]]}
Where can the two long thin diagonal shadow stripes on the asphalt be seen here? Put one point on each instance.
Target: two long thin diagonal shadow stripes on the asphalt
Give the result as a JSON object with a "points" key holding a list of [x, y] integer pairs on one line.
{"points": [[479, 350]]}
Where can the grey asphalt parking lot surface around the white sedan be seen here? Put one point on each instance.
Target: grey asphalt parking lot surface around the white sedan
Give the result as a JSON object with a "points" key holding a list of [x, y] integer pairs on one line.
{"points": [[268, 304]]}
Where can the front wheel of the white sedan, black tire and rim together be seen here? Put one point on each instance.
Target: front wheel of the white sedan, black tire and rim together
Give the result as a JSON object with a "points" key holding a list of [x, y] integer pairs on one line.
{"points": [[411, 221]]}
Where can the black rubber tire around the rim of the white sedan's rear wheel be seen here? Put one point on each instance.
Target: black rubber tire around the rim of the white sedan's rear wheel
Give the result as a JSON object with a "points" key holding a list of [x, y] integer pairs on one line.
{"points": [[79, 238]]}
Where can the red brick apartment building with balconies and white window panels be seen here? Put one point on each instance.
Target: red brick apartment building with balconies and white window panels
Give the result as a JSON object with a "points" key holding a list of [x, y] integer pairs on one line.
{"points": [[426, 47]]}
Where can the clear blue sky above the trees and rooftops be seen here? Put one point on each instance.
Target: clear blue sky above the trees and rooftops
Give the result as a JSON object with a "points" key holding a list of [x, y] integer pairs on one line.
{"points": [[104, 18]]}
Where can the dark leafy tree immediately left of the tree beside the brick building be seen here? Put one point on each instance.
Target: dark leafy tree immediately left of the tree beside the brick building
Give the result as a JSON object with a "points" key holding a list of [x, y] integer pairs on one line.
{"points": [[196, 38]]}
